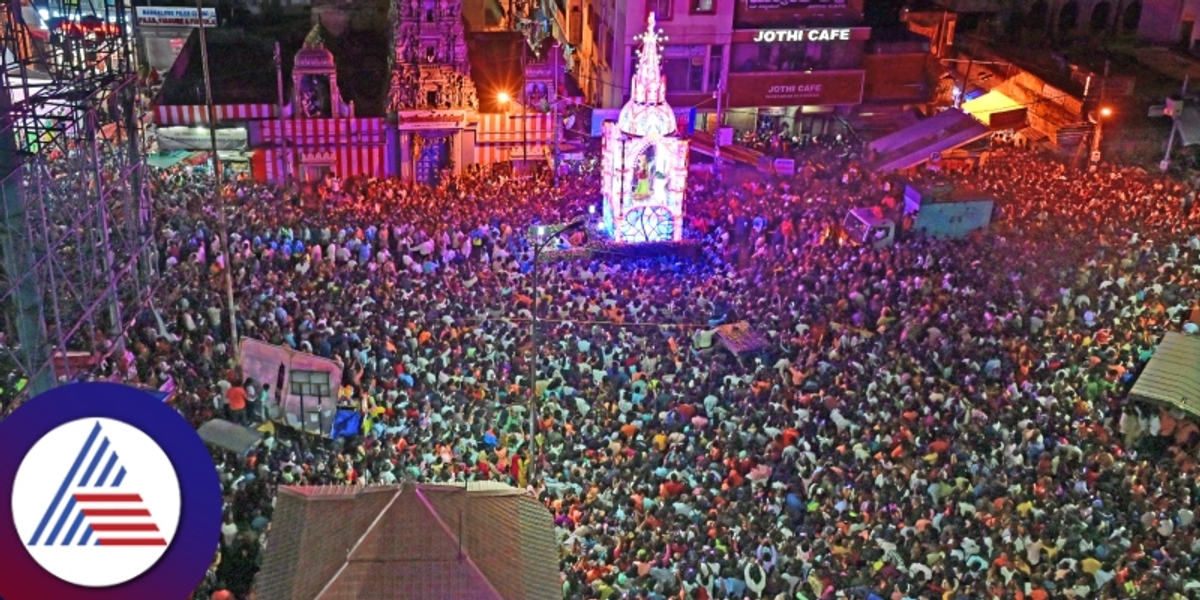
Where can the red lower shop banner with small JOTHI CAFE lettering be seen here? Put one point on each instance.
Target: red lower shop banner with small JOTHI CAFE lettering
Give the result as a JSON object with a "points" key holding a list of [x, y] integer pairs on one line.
{"points": [[821, 88]]}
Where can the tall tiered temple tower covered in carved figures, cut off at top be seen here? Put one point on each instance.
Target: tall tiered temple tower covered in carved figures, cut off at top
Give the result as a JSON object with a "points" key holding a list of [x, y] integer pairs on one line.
{"points": [[430, 68]]}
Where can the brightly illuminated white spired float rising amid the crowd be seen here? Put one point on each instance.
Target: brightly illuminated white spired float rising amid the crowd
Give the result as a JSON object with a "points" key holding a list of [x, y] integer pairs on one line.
{"points": [[645, 158]]}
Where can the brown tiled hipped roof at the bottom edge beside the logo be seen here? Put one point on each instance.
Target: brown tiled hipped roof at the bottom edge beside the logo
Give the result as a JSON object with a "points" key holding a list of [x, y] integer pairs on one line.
{"points": [[419, 543]]}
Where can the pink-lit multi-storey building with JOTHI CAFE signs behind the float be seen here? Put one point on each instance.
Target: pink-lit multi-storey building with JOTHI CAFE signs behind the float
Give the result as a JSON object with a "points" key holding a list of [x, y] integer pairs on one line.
{"points": [[790, 67]]}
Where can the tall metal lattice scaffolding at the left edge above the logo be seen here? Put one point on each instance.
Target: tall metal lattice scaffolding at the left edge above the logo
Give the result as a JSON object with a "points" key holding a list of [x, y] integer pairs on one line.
{"points": [[76, 221]]}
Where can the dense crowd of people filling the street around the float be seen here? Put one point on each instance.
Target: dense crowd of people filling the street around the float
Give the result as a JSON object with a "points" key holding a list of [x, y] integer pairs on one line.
{"points": [[939, 419]]}
